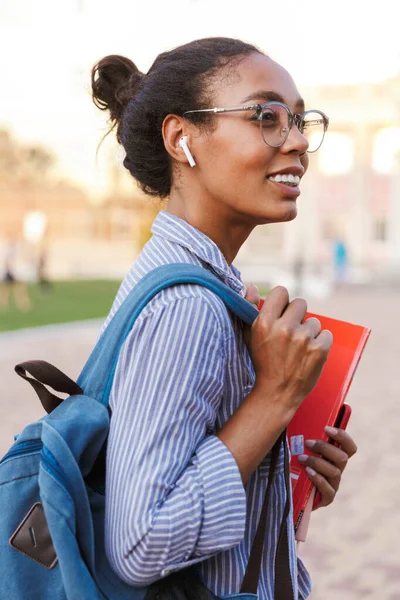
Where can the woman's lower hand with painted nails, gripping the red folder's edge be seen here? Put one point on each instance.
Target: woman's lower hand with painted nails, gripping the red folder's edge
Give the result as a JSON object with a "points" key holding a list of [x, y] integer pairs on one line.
{"points": [[325, 471]]}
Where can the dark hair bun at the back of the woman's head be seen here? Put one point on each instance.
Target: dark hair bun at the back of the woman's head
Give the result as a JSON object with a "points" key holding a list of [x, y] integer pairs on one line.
{"points": [[114, 82]]}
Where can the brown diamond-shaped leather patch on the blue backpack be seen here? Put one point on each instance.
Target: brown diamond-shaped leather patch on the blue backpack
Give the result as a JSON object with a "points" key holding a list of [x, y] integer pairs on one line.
{"points": [[32, 538]]}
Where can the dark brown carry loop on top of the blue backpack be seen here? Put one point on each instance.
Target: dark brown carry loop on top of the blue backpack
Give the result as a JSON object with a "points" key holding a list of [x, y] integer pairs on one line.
{"points": [[43, 373]]}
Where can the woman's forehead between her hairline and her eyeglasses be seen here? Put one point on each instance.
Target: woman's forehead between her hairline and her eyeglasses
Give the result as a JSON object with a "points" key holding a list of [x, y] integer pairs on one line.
{"points": [[258, 75]]}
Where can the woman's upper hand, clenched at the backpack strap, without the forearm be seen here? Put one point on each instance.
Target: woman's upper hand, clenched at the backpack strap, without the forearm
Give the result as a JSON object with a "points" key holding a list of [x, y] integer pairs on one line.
{"points": [[288, 352]]}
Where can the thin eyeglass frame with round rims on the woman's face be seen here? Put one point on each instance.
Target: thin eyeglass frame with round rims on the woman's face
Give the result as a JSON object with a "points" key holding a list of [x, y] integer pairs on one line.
{"points": [[294, 118]]}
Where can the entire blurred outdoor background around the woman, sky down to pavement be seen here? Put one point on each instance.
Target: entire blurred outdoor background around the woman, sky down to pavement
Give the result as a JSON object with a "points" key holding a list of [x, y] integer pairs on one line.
{"points": [[72, 222]]}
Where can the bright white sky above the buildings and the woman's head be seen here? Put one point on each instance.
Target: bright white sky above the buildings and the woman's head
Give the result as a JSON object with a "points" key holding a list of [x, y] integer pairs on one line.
{"points": [[47, 48]]}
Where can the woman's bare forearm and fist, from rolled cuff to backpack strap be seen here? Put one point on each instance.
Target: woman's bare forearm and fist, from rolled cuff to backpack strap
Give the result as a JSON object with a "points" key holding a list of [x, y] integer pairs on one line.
{"points": [[288, 356]]}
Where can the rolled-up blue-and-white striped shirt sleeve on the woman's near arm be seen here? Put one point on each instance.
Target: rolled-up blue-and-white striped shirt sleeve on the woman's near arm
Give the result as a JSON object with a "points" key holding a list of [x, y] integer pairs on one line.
{"points": [[174, 494]]}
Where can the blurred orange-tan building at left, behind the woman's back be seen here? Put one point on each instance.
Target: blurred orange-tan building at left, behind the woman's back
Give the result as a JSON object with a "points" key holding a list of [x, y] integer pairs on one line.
{"points": [[79, 237]]}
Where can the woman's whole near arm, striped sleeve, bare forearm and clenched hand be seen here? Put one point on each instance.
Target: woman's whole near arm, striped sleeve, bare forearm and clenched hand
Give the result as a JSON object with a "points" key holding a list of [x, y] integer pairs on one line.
{"points": [[166, 478]]}
